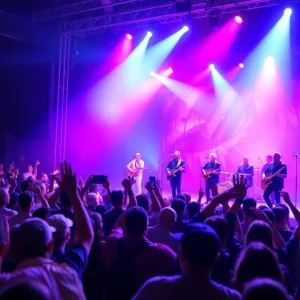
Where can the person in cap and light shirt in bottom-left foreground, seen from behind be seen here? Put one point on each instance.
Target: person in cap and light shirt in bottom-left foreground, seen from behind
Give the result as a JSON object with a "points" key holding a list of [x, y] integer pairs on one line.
{"points": [[33, 248]]}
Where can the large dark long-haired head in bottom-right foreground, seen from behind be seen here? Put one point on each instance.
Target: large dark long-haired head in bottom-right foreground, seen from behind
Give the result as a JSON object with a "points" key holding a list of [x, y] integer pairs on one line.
{"points": [[256, 260]]}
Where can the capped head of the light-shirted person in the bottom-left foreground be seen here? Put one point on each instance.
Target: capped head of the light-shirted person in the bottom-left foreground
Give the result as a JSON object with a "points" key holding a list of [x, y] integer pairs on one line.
{"points": [[34, 236]]}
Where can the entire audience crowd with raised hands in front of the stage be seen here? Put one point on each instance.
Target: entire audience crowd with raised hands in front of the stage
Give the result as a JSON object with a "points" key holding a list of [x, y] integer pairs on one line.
{"points": [[61, 238]]}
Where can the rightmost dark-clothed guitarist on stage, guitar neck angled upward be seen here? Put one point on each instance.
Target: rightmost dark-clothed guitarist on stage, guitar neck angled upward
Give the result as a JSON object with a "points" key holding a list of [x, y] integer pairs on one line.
{"points": [[277, 181]]}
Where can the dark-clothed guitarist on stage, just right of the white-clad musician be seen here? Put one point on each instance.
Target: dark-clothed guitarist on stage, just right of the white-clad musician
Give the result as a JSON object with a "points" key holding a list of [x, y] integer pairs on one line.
{"points": [[175, 181]]}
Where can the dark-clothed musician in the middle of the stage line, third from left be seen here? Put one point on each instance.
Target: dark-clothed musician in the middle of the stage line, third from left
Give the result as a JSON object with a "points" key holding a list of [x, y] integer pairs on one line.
{"points": [[211, 171]]}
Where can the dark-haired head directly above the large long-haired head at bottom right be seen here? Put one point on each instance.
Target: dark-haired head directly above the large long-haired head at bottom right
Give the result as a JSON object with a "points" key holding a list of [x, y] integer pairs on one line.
{"points": [[260, 231]]}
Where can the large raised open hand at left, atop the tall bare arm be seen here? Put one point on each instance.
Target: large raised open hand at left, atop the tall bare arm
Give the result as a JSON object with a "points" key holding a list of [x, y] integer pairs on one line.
{"points": [[68, 182]]}
